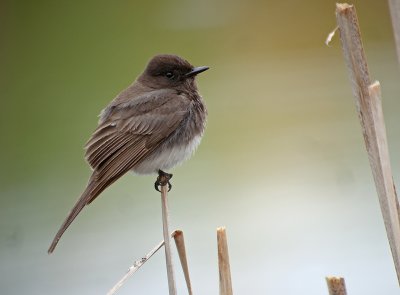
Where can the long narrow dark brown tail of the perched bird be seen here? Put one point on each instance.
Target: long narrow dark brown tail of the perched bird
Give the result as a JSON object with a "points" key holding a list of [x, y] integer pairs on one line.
{"points": [[87, 196]]}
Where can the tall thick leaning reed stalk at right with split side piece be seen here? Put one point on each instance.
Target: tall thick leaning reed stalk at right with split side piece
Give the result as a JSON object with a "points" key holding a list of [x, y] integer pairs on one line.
{"points": [[369, 107]]}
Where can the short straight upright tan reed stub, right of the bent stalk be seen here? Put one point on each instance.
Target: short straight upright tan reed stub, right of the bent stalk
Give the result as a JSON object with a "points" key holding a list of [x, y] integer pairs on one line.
{"points": [[225, 282]]}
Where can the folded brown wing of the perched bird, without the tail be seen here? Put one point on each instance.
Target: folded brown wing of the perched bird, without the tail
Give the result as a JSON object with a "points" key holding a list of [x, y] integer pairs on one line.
{"points": [[125, 137]]}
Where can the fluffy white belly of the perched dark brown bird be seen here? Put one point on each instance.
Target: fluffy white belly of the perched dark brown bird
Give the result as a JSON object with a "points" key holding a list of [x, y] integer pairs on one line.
{"points": [[167, 158]]}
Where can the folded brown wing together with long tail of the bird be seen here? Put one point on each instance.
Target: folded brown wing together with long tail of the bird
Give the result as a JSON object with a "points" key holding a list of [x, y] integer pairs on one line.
{"points": [[128, 132]]}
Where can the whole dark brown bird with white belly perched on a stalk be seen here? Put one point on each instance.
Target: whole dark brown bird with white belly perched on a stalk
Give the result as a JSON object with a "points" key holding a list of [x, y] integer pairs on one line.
{"points": [[151, 126]]}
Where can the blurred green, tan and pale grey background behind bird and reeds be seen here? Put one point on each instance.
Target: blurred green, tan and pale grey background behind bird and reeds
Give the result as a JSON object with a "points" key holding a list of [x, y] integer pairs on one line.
{"points": [[282, 164]]}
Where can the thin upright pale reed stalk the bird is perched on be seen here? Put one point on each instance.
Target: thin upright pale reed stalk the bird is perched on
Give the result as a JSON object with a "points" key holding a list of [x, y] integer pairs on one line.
{"points": [[167, 241]]}
